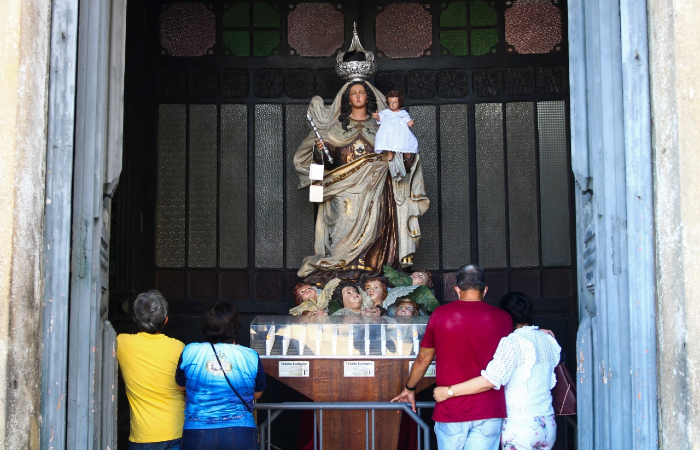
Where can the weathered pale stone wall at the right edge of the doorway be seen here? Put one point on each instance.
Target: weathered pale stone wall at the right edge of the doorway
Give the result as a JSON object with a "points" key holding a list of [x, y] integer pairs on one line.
{"points": [[675, 86]]}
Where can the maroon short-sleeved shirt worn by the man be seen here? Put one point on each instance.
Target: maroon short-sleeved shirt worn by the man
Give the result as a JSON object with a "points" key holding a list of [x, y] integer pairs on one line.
{"points": [[465, 337]]}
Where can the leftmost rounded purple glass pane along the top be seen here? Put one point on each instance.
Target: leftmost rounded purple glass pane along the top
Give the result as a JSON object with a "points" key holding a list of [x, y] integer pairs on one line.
{"points": [[187, 29]]}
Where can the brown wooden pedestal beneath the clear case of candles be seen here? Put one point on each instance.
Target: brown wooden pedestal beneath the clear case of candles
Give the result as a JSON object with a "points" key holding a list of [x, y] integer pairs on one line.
{"points": [[327, 383]]}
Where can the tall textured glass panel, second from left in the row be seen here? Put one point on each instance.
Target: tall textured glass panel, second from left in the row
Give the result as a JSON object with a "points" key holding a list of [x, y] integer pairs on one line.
{"points": [[202, 190]]}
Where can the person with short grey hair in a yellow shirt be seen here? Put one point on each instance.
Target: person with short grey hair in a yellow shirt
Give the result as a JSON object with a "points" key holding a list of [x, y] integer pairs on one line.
{"points": [[147, 362]]}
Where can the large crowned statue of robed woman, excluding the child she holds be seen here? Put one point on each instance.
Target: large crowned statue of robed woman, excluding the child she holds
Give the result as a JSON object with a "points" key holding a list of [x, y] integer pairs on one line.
{"points": [[366, 219]]}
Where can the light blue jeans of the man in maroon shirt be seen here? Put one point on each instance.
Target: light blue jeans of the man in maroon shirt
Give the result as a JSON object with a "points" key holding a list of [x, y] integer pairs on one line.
{"points": [[473, 435]]}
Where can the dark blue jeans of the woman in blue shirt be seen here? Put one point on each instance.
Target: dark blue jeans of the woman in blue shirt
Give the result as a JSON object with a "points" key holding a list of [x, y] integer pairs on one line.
{"points": [[232, 438]]}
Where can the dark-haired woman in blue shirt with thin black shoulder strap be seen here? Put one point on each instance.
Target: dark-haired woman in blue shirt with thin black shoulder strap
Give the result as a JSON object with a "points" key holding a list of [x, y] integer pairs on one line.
{"points": [[221, 379]]}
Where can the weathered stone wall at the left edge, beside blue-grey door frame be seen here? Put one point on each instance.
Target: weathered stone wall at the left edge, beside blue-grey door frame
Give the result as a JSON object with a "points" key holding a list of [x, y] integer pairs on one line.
{"points": [[24, 47]]}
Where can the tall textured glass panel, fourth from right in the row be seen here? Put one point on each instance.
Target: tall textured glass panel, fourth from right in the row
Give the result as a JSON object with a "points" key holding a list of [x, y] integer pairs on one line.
{"points": [[454, 175]]}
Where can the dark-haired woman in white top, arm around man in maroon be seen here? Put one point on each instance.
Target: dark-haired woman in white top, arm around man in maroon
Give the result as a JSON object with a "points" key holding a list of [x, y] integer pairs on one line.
{"points": [[524, 363]]}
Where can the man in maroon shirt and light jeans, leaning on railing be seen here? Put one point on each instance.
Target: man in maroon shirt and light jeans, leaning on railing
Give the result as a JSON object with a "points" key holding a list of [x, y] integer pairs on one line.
{"points": [[463, 336]]}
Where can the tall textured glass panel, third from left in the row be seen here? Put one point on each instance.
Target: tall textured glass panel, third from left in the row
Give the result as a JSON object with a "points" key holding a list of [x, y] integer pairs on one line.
{"points": [[233, 201]]}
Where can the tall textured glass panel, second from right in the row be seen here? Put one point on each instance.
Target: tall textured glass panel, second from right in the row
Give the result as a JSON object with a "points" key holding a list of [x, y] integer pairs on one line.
{"points": [[522, 184]]}
